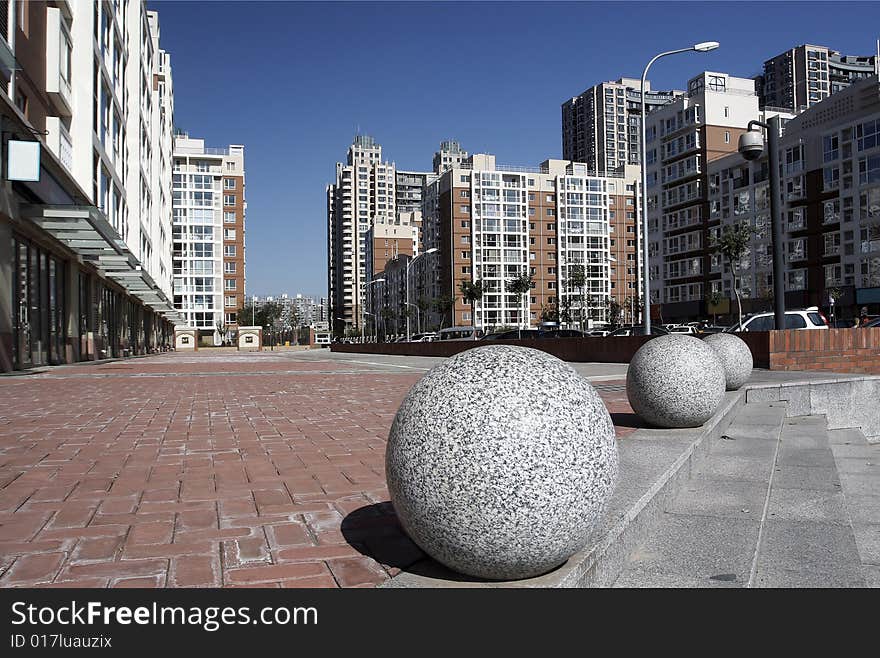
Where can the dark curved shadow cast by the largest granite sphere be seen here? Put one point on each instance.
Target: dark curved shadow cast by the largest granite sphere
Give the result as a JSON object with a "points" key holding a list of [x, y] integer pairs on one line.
{"points": [[375, 532]]}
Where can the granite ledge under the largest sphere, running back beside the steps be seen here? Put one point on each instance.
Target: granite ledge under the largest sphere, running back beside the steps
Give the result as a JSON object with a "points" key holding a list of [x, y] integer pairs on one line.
{"points": [[653, 464]]}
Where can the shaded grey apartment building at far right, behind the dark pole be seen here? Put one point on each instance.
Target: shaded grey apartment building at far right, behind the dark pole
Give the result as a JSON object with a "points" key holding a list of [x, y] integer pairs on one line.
{"points": [[830, 161]]}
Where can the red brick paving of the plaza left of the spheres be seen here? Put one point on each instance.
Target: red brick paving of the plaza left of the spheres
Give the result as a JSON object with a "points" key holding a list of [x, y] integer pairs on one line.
{"points": [[260, 470]]}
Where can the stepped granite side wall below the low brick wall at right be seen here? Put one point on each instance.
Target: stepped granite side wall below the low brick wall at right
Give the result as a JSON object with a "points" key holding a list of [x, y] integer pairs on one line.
{"points": [[846, 401]]}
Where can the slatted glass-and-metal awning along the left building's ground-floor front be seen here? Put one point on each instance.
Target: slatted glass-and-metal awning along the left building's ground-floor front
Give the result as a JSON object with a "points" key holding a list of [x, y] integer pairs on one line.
{"points": [[86, 231]]}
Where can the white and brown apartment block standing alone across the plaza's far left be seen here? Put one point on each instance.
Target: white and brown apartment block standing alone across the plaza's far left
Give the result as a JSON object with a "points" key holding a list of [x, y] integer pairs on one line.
{"points": [[209, 214]]}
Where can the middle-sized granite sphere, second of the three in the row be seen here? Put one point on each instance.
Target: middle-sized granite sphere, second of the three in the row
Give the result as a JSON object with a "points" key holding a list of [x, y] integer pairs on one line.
{"points": [[675, 381]]}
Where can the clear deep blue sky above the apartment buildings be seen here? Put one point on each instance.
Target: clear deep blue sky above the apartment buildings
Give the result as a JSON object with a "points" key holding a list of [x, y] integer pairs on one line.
{"points": [[294, 81]]}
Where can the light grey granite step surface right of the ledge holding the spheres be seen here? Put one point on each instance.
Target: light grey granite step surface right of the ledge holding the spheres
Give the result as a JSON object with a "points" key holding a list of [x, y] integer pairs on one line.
{"points": [[762, 508]]}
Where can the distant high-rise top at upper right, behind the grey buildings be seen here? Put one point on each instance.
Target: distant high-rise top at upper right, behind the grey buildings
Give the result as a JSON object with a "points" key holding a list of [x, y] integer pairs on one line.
{"points": [[807, 74]]}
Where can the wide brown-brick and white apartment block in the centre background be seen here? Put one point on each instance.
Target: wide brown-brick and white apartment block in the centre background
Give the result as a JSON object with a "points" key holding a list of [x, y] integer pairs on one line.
{"points": [[491, 223]]}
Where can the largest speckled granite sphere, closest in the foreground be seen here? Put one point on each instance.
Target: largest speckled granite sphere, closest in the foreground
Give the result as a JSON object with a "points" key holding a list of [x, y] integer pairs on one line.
{"points": [[500, 462]]}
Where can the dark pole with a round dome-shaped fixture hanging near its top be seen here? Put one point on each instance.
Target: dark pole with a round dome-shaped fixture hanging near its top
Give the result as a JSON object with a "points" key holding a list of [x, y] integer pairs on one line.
{"points": [[751, 147]]}
